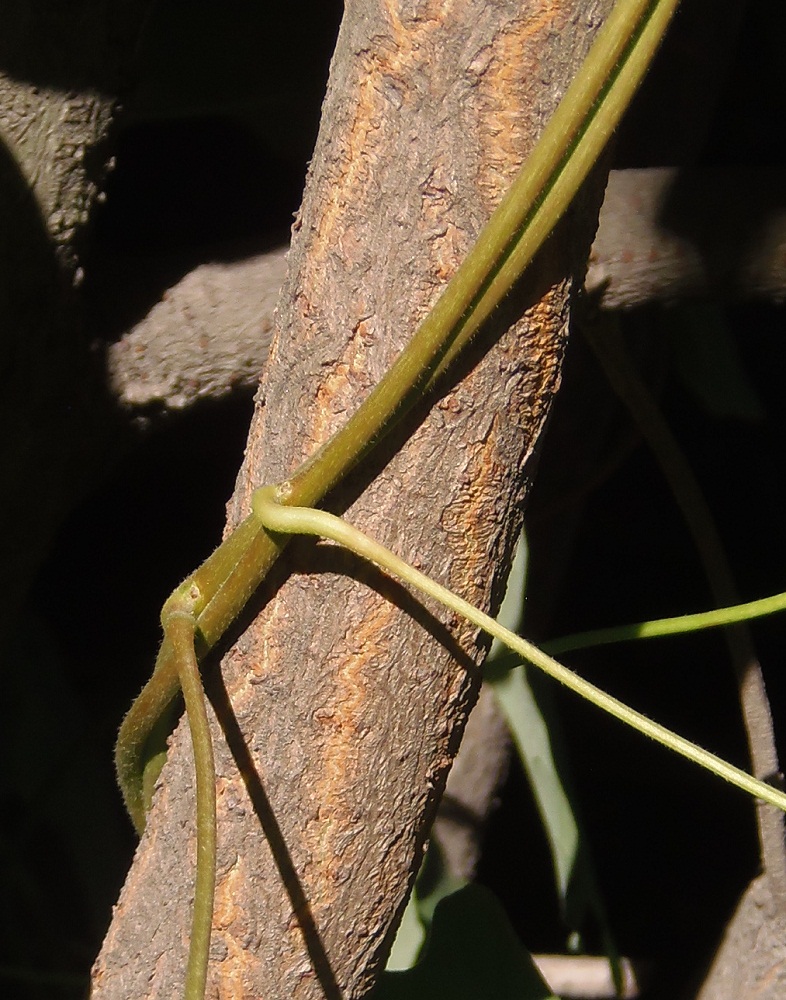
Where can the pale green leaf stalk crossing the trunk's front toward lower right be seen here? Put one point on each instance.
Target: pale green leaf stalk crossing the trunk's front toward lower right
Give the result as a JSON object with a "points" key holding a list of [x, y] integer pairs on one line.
{"points": [[271, 507]]}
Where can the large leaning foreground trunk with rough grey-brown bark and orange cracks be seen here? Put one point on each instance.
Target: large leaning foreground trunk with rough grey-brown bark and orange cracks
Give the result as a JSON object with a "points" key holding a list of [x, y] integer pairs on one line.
{"points": [[342, 704]]}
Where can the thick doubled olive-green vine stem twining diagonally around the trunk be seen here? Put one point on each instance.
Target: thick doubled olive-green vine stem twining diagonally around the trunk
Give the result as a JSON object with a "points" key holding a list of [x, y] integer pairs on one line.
{"points": [[559, 163]]}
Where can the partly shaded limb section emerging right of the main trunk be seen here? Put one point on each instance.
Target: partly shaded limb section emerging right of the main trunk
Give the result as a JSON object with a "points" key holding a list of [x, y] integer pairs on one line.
{"points": [[666, 235]]}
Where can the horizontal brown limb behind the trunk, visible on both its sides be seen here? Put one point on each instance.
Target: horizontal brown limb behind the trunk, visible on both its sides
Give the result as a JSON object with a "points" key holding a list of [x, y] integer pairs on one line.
{"points": [[662, 237]]}
